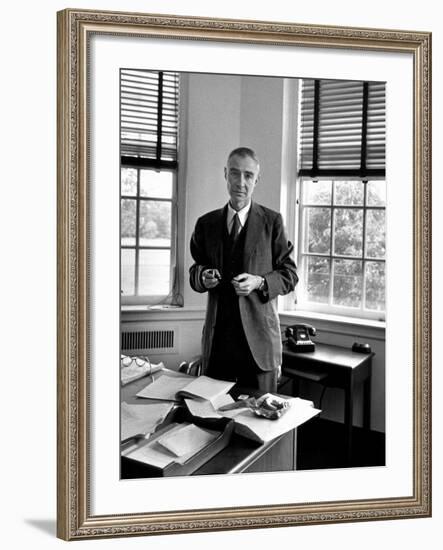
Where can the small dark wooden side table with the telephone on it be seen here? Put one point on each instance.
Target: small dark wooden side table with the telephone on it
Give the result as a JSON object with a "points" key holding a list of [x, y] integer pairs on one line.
{"points": [[344, 369]]}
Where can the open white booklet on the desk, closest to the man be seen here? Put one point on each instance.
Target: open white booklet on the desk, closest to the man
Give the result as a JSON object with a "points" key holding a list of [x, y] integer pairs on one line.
{"points": [[172, 388]]}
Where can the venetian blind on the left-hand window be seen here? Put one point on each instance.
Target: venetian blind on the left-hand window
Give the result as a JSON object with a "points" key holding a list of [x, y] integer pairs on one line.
{"points": [[149, 117]]}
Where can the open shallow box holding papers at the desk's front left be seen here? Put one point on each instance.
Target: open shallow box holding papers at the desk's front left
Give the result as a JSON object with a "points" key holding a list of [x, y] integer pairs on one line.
{"points": [[134, 468]]}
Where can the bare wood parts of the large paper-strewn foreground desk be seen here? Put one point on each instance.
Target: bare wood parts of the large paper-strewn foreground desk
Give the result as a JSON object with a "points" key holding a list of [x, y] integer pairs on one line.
{"points": [[241, 455]]}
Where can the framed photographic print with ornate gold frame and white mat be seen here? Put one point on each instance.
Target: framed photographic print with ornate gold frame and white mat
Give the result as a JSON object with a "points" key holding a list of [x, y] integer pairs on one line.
{"points": [[243, 274]]}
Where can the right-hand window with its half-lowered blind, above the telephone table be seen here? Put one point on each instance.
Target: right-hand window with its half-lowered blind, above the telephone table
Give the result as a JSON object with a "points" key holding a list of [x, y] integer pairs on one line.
{"points": [[342, 198]]}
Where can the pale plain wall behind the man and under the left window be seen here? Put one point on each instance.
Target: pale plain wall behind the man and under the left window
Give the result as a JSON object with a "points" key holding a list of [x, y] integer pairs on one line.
{"points": [[222, 112]]}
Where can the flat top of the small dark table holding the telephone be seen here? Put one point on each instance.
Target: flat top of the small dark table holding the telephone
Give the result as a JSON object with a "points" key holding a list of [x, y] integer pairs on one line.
{"points": [[333, 355]]}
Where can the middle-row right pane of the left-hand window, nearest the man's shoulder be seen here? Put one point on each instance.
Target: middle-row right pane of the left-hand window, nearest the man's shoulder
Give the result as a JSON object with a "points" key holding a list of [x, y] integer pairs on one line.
{"points": [[155, 223]]}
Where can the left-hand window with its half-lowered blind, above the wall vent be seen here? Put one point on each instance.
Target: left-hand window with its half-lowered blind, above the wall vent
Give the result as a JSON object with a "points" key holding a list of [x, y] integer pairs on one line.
{"points": [[149, 164]]}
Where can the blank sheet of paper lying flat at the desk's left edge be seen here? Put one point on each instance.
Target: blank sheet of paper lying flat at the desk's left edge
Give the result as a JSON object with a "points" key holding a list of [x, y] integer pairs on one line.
{"points": [[142, 418]]}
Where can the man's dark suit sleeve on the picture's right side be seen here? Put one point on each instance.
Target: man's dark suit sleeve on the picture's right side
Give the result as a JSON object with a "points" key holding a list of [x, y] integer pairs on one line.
{"points": [[283, 278]]}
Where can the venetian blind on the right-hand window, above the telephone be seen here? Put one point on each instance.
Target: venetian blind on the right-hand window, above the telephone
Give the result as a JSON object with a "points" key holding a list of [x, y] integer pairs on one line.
{"points": [[342, 129]]}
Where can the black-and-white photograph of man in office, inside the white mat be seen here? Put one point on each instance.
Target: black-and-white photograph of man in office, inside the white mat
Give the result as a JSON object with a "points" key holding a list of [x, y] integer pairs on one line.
{"points": [[252, 273]]}
